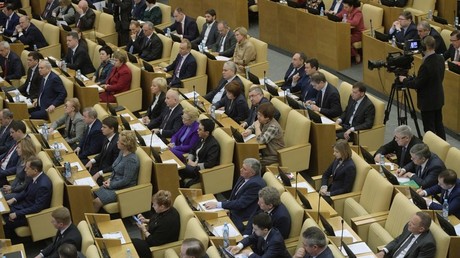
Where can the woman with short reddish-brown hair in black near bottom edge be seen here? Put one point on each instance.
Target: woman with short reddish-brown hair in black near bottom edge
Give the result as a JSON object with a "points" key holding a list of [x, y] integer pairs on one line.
{"points": [[162, 228]]}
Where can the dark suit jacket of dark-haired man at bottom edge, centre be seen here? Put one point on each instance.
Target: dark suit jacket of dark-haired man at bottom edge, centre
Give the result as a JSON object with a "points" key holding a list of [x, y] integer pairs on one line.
{"points": [[273, 247]]}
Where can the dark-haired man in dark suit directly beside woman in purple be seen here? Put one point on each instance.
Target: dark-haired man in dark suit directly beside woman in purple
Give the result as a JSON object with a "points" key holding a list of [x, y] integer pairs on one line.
{"points": [[205, 154]]}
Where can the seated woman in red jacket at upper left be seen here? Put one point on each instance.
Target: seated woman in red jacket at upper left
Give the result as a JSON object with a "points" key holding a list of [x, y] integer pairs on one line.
{"points": [[119, 79]]}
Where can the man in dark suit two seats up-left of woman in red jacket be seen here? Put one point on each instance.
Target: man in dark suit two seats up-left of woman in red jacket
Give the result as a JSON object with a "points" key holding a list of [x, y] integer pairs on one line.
{"points": [[77, 57]]}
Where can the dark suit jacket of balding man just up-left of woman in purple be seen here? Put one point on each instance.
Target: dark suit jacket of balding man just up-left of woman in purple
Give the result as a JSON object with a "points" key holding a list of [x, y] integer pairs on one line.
{"points": [[171, 126]]}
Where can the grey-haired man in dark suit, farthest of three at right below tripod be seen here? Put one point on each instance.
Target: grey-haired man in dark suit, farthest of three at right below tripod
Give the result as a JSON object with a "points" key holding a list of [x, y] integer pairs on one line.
{"points": [[400, 146]]}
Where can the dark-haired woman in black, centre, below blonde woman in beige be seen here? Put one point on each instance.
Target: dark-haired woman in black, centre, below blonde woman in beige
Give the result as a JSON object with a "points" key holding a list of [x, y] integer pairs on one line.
{"points": [[234, 103]]}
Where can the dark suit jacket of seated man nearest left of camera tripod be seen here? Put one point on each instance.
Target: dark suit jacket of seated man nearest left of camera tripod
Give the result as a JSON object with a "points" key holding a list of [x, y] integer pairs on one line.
{"points": [[364, 115]]}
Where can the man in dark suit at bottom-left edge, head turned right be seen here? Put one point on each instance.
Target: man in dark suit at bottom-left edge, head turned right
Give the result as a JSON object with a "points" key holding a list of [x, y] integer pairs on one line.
{"points": [[67, 233]]}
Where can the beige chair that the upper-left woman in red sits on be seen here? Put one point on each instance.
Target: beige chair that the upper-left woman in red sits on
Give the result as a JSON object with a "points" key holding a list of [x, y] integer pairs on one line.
{"points": [[134, 93]]}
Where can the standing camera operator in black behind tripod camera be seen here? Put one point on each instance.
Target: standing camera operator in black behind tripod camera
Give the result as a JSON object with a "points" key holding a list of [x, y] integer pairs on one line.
{"points": [[428, 84]]}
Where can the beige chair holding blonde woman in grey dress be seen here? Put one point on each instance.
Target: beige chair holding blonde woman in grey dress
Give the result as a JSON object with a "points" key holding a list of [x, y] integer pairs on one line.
{"points": [[135, 199]]}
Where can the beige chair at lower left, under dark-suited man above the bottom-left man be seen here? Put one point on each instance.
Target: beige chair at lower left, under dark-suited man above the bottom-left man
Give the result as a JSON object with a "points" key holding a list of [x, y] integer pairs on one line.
{"points": [[38, 223]]}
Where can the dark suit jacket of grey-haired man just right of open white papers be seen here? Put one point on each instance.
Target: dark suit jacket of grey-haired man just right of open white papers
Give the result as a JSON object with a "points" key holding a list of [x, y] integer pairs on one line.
{"points": [[243, 204]]}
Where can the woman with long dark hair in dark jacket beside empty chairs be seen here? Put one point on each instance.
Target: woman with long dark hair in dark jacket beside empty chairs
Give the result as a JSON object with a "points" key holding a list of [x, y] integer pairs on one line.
{"points": [[340, 176]]}
